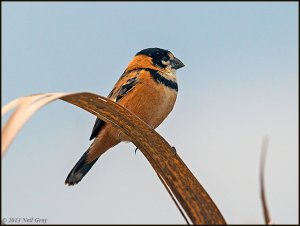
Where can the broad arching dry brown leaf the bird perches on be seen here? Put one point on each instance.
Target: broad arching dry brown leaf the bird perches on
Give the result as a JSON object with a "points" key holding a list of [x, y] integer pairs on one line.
{"points": [[188, 191]]}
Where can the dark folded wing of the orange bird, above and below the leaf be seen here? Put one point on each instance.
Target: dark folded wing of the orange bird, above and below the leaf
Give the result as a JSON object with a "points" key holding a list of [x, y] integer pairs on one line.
{"points": [[119, 94]]}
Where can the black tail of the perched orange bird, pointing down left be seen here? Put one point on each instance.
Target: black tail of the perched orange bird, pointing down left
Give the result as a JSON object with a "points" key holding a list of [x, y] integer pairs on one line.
{"points": [[79, 170]]}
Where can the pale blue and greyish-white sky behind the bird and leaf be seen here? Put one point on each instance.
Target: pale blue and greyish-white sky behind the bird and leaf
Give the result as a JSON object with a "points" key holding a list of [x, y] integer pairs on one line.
{"points": [[239, 84]]}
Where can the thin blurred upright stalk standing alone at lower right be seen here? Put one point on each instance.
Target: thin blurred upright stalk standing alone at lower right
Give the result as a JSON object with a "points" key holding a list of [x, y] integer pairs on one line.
{"points": [[264, 149]]}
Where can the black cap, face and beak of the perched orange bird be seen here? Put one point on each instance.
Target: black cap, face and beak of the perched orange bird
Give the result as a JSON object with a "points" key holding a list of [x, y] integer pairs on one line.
{"points": [[161, 57]]}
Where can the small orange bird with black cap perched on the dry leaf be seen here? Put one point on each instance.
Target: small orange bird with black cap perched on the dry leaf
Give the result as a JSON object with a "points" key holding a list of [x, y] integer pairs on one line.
{"points": [[148, 88]]}
